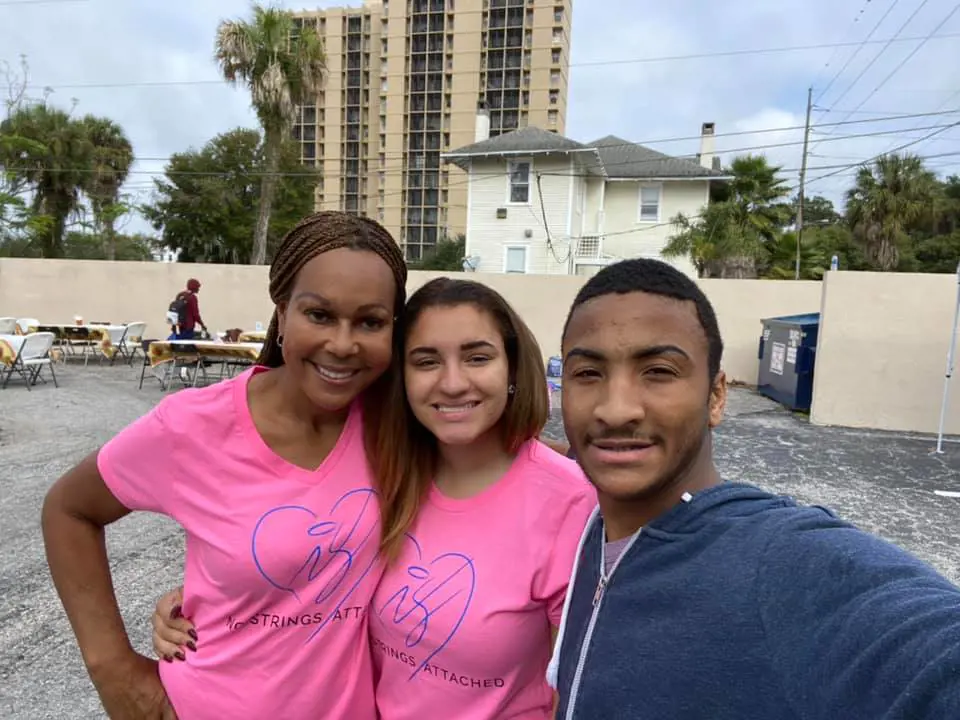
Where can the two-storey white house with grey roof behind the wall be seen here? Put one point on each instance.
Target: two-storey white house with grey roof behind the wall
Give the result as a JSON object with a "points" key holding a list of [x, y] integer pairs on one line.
{"points": [[542, 203]]}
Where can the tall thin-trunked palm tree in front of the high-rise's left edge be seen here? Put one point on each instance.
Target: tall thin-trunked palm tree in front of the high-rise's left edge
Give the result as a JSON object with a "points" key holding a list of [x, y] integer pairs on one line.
{"points": [[283, 67]]}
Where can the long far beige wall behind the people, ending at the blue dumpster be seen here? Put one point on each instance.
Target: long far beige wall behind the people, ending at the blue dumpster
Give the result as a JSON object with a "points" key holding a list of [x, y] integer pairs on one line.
{"points": [[236, 296]]}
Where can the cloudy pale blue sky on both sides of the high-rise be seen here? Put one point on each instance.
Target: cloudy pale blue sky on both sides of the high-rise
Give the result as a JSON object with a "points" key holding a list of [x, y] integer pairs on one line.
{"points": [[148, 65]]}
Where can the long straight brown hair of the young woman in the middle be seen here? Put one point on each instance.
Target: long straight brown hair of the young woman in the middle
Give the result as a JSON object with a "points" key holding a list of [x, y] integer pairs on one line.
{"points": [[404, 453]]}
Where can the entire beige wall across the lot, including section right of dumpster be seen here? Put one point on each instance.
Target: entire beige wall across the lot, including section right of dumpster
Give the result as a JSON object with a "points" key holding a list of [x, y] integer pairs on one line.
{"points": [[880, 358]]}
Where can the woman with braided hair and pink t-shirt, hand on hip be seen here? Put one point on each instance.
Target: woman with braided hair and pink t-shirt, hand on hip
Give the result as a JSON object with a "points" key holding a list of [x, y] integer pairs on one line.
{"points": [[268, 475]]}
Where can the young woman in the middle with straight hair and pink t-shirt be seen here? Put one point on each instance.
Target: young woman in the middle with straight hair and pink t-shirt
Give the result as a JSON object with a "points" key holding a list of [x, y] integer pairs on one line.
{"points": [[480, 519]]}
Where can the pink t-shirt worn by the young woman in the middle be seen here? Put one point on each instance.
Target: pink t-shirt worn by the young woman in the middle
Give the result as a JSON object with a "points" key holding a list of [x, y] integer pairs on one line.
{"points": [[461, 624]]}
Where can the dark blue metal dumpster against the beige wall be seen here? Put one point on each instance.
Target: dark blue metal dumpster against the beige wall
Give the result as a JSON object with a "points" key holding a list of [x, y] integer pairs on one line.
{"points": [[787, 353]]}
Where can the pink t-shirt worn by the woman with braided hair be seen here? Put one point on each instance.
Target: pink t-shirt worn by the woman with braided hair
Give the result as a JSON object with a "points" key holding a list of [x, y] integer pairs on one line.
{"points": [[281, 562]]}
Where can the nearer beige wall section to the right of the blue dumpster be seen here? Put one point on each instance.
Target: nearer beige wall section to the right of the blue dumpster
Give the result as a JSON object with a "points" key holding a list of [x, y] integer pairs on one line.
{"points": [[882, 351]]}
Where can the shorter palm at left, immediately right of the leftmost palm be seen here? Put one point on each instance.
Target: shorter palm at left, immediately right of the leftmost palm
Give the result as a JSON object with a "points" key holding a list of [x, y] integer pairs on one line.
{"points": [[112, 156]]}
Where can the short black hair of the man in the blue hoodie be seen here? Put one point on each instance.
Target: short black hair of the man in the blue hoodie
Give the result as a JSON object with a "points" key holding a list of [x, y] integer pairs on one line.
{"points": [[656, 278]]}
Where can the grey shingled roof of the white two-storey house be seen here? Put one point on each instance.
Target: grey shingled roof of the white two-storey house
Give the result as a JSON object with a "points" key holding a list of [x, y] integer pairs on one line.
{"points": [[611, 156]]}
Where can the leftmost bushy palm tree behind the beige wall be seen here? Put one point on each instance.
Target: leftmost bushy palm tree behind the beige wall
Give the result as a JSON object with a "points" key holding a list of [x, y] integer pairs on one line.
{"points": [[53, 164]]}
